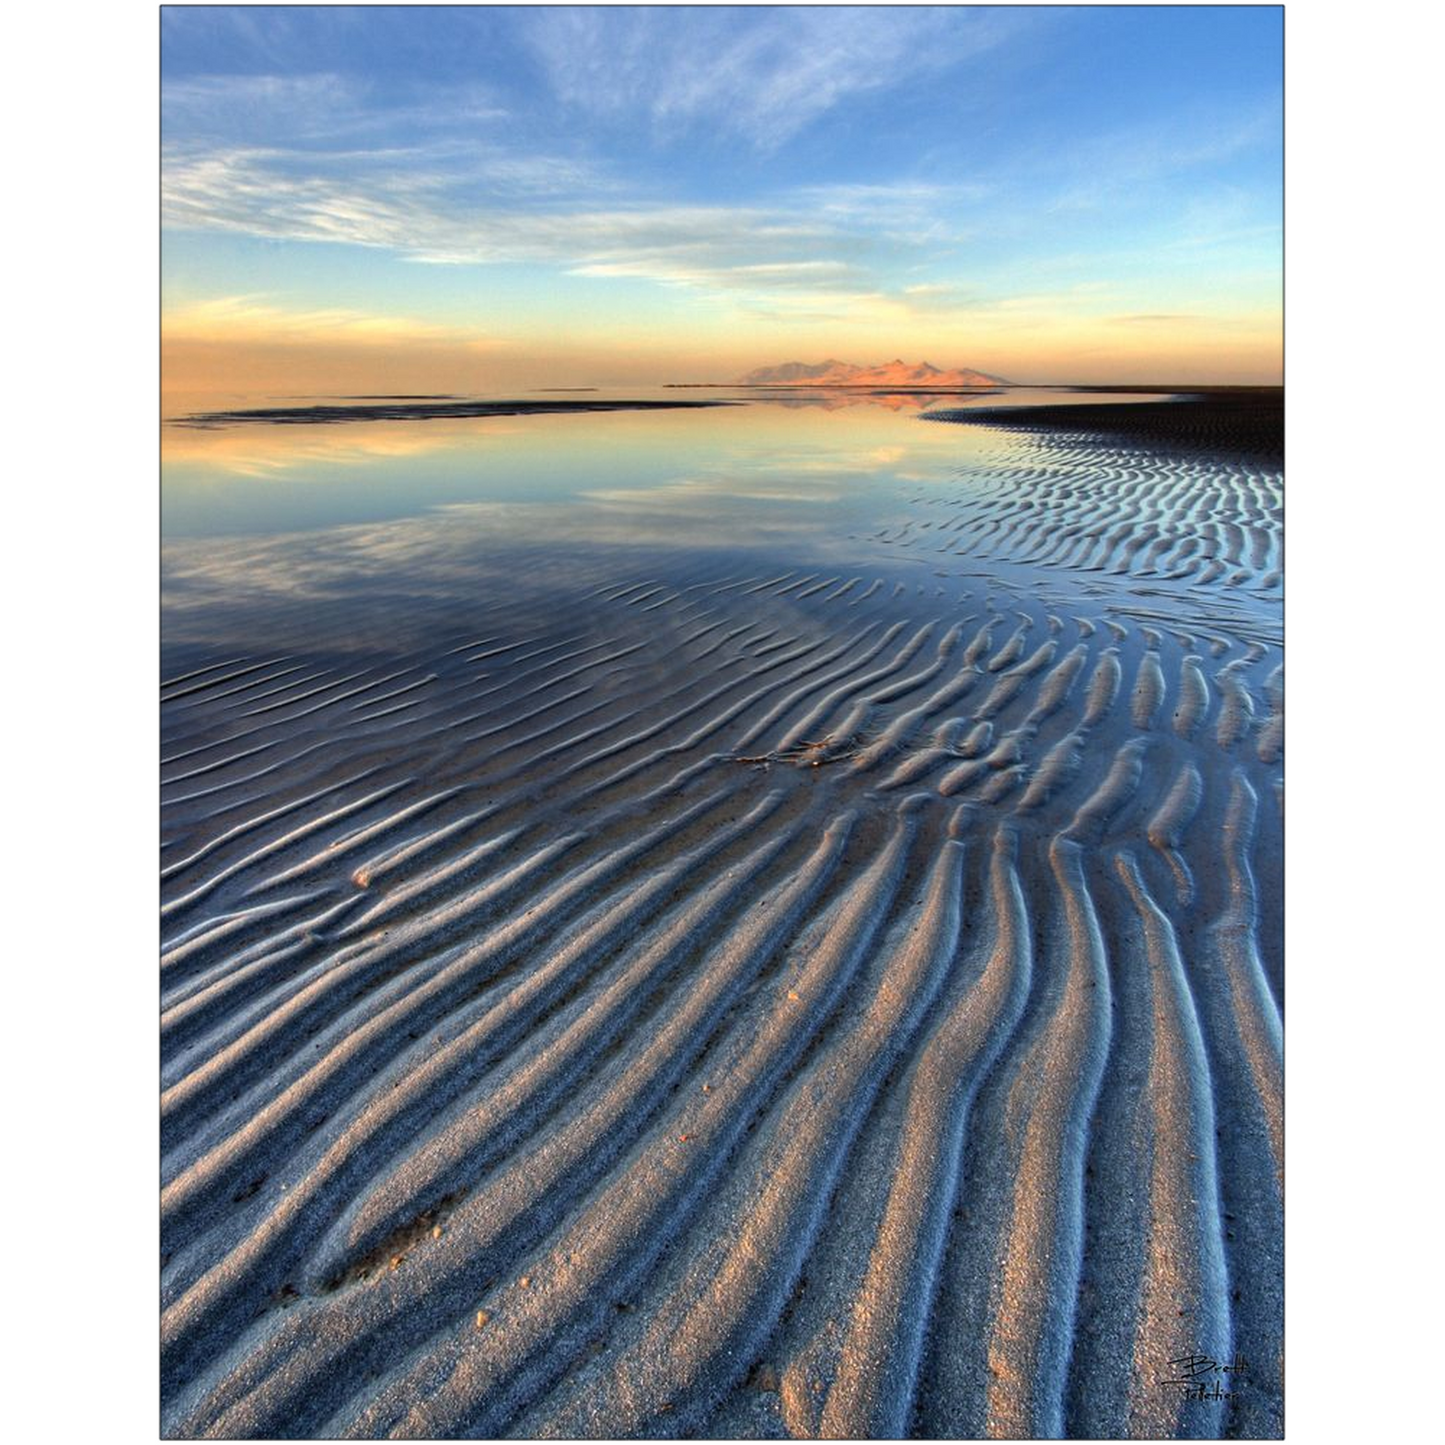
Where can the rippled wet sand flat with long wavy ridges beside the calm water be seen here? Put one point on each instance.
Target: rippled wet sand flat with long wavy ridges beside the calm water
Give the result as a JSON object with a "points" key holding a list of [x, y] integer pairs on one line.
{"points": [[819, 1001]]}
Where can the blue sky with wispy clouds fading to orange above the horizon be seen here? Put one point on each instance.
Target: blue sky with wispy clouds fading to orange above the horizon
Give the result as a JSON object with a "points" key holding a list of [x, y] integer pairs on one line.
{"points": [[470, 199]]}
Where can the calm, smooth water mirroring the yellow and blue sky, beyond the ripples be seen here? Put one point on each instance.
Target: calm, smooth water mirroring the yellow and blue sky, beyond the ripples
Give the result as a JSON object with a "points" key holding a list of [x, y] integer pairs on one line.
{"points": [[379, 534]]}
